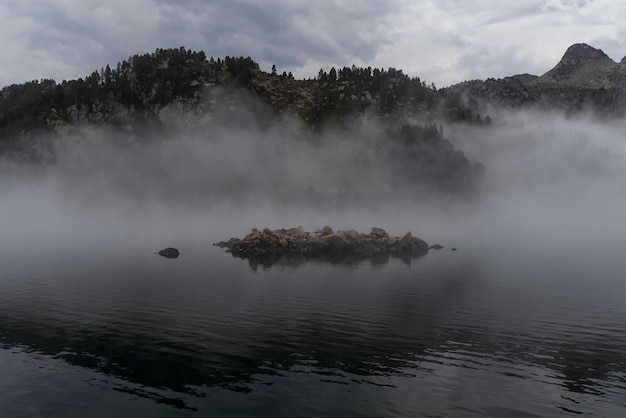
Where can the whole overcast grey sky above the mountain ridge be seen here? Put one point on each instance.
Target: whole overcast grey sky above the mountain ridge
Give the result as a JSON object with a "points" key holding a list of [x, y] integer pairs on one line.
{"points": [[440, 41]]}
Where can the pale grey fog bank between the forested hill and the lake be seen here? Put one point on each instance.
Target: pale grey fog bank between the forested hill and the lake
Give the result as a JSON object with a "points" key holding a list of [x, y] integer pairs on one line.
{"points": [[550, 182]]}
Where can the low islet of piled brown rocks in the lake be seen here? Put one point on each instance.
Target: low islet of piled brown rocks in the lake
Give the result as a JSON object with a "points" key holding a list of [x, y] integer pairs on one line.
{"points": [[323, 241]]}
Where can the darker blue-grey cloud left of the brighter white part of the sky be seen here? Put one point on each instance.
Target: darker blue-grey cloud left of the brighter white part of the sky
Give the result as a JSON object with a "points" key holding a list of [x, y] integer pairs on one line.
{"points": [[63, 39]]}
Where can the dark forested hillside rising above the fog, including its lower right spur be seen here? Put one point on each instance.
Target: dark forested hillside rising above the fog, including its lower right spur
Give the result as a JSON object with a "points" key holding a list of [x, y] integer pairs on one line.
{"points": [[171, 92]]}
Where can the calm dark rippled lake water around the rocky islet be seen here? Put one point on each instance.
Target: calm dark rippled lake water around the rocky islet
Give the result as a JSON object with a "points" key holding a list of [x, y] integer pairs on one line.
{"points": [[483, 331]]}
